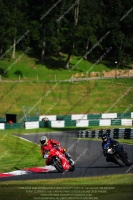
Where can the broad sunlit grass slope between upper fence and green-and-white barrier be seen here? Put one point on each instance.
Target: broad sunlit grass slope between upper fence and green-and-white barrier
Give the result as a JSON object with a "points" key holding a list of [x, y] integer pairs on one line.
{"points": [[103, 96]]}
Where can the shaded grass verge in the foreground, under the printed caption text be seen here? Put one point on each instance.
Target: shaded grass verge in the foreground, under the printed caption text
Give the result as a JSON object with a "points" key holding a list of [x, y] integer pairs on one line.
{"points": [[114, 186]]}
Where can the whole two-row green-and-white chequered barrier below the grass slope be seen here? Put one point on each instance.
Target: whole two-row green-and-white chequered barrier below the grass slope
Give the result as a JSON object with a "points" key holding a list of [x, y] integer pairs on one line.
{"points": [[75, 120]]}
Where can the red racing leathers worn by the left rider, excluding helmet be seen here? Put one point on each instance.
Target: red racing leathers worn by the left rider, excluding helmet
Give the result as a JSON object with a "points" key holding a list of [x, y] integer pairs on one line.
{"points": [[47, 147]]}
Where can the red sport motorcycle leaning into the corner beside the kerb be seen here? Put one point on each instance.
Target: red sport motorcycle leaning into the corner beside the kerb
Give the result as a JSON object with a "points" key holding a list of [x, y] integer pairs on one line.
{"points": [[60, 161]]}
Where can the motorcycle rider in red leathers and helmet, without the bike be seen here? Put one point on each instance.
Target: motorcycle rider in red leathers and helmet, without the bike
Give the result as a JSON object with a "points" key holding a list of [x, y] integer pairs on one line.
{"points": [[47, 145]]}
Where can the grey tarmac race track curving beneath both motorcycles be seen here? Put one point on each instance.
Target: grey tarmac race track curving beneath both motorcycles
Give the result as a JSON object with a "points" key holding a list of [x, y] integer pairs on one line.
{"points": [[87, 154]]}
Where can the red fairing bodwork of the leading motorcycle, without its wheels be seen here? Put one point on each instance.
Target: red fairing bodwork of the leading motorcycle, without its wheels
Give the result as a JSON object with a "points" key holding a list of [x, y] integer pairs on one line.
{"points": [[56, 153]]}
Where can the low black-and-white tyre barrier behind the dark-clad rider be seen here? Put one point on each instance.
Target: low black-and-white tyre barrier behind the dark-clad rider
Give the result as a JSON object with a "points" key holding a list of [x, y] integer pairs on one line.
{"points": [[120, 133]]}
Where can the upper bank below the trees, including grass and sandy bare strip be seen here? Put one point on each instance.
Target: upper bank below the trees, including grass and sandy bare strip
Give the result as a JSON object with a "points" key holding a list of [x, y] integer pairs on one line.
{"points": [[26, 68]]}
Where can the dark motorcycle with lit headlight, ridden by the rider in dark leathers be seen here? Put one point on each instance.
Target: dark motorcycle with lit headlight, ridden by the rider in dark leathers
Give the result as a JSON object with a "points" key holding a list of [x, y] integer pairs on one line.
{"points": [[118, 155]]}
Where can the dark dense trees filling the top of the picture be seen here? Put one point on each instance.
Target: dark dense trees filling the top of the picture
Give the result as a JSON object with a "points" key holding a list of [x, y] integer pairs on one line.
{"points": [[73, 27]]}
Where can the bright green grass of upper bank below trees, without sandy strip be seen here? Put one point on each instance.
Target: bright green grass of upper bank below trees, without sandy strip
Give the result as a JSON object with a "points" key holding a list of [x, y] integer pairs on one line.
{"points": [[52, 67]]}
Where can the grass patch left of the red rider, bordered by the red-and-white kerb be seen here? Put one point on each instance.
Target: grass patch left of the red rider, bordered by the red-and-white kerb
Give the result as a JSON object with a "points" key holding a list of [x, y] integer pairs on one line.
{"points": [[17, 153]]}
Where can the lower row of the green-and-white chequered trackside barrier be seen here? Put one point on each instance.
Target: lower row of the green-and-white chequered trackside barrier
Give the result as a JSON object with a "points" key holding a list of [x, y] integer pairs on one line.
{"points": [[67, 123]]}
